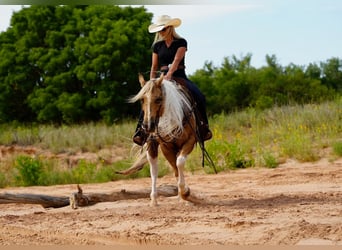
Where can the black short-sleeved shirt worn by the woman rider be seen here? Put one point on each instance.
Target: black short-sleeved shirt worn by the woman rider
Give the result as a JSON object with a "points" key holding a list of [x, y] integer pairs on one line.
{"points": [[167, 54]]}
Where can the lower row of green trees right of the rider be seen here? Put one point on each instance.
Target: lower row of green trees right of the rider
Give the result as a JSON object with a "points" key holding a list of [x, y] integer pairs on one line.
{"points": [[236, 84]]}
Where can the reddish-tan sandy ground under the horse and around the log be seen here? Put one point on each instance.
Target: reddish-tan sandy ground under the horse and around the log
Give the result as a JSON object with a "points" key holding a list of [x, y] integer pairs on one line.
{"points": [[294, 204]]}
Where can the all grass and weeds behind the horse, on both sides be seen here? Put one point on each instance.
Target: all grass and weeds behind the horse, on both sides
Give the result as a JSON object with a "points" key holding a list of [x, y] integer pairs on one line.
{"points": [[250, 138]]}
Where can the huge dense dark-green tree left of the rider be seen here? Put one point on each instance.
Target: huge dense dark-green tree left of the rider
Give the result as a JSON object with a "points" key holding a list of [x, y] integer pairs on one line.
{"points": [[72, 63]]}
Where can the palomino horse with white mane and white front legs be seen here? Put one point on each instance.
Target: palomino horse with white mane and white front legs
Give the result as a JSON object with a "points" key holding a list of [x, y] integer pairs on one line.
{"points": [[170, 123]]}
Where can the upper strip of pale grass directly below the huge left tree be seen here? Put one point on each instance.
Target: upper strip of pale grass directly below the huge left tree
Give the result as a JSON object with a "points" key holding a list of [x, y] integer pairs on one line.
{"points": [[87, 138]]}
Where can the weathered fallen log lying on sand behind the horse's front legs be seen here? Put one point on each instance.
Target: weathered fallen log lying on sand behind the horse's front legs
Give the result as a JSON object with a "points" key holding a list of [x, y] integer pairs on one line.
{"points": [[80, 199]]}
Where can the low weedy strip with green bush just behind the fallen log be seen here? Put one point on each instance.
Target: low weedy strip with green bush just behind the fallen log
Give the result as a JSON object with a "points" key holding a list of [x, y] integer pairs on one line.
{"points": [[32, 171]]}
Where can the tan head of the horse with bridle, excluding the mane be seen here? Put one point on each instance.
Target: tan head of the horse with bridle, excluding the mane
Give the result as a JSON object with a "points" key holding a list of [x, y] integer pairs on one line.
{"points": [[152, 102]]}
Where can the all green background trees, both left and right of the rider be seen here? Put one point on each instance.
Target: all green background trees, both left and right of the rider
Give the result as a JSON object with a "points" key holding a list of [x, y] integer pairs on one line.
{"points": [[75, 64]]}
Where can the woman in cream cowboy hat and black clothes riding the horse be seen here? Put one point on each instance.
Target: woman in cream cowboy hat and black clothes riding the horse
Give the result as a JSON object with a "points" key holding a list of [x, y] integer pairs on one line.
{"points": [[169, 57]]}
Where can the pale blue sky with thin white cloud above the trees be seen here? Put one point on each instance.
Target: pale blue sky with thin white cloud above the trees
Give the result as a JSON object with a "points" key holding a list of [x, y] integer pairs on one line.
{"points": [[295, 31]]}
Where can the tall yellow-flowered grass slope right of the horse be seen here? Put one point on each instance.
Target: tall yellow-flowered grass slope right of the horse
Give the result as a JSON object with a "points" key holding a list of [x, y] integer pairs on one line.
{"points": [[253, 138]]}
